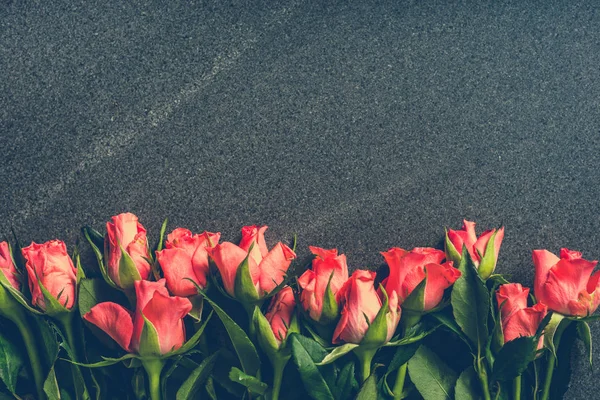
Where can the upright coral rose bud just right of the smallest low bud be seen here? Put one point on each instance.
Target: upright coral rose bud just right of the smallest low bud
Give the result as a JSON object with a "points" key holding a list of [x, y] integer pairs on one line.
{"points": [[321, 283]]}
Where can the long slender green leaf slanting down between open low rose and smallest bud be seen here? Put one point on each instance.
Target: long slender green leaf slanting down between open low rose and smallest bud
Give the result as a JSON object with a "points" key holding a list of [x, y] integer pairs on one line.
{"points": [[244, 348]]}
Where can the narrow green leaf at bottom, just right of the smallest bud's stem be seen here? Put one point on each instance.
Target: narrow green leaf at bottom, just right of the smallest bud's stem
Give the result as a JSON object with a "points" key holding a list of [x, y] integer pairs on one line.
{"points": [[314, 383]]}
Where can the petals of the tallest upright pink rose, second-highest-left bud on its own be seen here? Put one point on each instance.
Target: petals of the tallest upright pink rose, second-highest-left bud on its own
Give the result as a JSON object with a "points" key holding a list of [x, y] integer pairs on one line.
{"points": [[124, 231]]}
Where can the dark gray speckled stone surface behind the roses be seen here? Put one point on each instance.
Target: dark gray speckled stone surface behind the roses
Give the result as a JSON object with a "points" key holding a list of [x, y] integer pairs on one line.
{"points": [[355, 126]]}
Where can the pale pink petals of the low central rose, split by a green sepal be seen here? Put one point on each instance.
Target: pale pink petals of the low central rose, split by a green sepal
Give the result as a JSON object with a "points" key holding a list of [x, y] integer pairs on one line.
{"points": [[360, 305]]}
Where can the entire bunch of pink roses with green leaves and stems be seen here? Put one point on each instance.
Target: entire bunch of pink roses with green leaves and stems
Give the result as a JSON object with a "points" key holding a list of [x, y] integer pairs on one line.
{"points": [[197, 317]]}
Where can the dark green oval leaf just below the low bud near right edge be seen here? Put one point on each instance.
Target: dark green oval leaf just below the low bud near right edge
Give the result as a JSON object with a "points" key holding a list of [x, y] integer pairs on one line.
{"points": [[513, 358]]}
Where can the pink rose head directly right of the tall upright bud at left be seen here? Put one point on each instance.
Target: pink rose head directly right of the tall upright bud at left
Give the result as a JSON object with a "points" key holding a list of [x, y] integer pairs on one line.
{"points": [[185, 256]]}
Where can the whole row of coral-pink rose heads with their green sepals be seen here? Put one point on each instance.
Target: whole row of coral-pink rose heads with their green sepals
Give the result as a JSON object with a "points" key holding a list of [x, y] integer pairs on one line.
{"points": [[336, 308]]}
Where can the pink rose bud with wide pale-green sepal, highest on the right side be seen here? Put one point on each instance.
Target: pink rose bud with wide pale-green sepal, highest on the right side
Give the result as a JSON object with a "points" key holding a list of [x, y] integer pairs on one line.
{"points": [[483, 250]]}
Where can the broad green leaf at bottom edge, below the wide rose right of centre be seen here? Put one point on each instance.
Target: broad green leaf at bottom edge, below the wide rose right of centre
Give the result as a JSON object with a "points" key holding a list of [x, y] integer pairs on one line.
{"points": [[432, 377]]}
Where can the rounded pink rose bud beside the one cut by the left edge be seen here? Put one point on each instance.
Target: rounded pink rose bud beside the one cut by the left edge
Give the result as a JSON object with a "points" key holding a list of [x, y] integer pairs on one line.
{"points": [[49, 267]]}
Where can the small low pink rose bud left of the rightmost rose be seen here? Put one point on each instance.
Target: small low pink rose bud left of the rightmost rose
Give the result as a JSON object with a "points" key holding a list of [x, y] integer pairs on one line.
{"points": [[517, 319]]}
